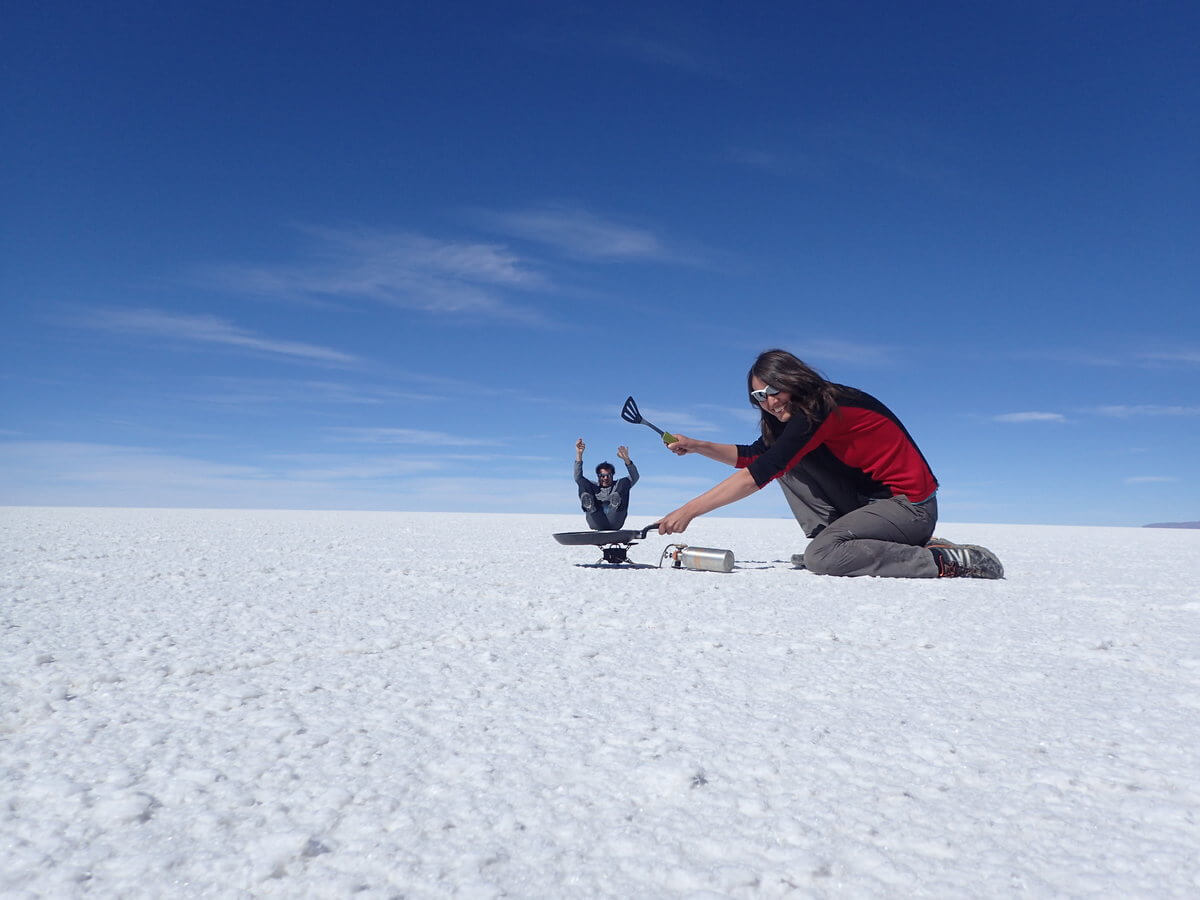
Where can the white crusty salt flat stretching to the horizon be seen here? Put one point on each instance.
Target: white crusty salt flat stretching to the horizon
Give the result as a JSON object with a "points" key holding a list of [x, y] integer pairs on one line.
{"points": [[269, 704]]}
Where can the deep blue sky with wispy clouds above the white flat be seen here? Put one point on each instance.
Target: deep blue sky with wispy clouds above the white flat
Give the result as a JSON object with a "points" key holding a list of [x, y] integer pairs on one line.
{"points": [[368, 256]]}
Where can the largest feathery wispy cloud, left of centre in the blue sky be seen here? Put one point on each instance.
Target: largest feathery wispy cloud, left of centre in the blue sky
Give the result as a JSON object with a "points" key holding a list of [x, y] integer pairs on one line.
{"points": [[399, 269]]}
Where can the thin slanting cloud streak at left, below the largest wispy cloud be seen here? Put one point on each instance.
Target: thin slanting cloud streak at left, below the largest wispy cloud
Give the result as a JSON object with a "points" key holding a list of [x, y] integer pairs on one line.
{"points": [[208, 331]]}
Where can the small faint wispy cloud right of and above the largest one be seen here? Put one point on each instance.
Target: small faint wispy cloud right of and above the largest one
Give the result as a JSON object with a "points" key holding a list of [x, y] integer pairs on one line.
{"points": [[583, 235]]}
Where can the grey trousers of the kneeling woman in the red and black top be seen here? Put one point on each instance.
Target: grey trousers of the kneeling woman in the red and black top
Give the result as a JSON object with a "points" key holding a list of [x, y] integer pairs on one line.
{"points": [[859, 536]]}
